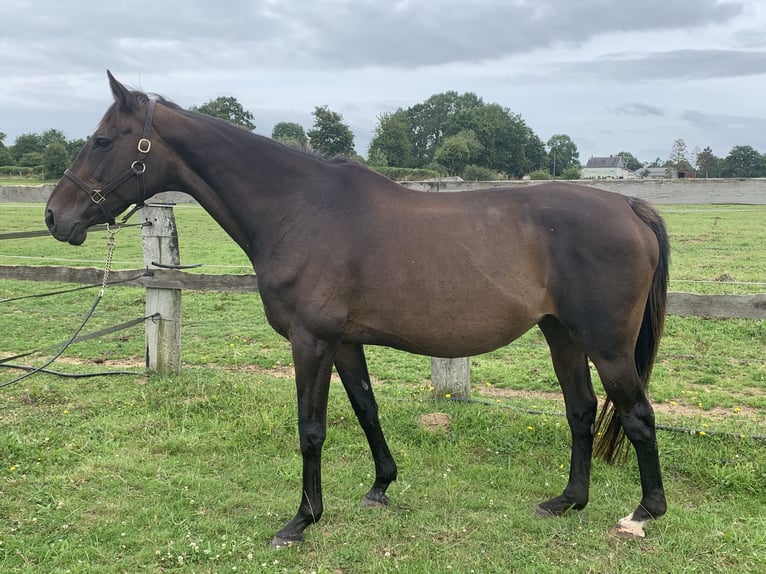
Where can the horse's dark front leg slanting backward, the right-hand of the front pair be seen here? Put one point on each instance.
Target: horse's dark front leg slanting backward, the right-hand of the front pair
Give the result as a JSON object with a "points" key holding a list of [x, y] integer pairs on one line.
{"points": [[352, 368]]}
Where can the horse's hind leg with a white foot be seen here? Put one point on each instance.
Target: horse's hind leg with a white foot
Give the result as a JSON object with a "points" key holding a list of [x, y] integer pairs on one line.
{"points": [[625, 390]]}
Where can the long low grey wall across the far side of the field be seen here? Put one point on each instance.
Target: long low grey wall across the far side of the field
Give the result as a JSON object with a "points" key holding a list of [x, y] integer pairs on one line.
{"points": [[657, 191]]}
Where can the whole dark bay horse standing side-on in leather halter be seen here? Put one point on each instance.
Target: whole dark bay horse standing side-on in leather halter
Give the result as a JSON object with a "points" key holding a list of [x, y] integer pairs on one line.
{"points": [[346, 258]]}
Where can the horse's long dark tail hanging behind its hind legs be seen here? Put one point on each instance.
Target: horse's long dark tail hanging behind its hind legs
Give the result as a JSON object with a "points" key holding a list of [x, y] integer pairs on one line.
{"points": [[611, 445]]}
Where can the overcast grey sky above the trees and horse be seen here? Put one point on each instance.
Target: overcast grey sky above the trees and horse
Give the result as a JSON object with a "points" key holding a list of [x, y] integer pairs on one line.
{"points": [[613, 75]]}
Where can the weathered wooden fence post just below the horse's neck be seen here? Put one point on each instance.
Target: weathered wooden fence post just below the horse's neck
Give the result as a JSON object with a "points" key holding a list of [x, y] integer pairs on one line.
{"points": [[159, 239]]}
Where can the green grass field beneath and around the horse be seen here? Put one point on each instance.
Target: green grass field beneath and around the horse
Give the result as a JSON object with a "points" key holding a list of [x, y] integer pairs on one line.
{"points": [[195, 472]]}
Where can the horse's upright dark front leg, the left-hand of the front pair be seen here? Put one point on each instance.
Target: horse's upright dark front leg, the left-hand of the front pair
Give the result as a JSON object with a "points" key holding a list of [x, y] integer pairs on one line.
{"points": [[313, 364]]}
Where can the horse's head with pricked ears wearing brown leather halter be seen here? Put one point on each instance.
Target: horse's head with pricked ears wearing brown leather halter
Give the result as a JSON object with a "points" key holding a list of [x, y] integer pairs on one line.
{"points": [[116, 168]]}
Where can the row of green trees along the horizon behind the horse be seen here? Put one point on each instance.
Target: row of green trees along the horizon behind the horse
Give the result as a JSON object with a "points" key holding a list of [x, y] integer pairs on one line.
{"points": [[449, 134]]}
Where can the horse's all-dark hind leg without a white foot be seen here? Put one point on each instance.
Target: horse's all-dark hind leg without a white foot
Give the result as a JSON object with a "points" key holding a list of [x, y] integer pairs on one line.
{"points": [[571, 366]]}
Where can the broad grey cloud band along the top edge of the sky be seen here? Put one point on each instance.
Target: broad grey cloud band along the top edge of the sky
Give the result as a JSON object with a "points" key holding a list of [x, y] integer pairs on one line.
{"points": [[346, 34]]}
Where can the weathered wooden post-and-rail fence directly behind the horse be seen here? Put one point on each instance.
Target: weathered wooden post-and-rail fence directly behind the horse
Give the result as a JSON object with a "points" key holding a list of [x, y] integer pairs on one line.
{"points": [[164, 287]]}
